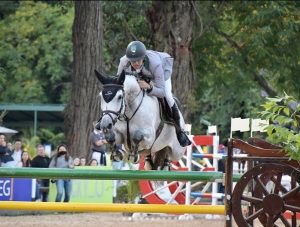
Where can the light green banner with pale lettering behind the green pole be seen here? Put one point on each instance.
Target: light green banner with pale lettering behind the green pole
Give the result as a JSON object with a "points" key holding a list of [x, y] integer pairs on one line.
{"points": [[88, 191]]}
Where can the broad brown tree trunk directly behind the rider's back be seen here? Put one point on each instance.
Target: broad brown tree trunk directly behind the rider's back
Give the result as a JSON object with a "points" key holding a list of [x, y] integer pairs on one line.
{"points": [[172, 25]]}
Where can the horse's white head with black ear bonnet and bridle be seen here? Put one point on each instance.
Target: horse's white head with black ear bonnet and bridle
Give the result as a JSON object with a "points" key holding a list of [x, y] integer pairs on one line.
{"points": [[112, 100]]}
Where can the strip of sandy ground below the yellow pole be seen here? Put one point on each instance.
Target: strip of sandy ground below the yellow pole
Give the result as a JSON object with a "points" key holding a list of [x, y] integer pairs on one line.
{"points": [[106, 220]]}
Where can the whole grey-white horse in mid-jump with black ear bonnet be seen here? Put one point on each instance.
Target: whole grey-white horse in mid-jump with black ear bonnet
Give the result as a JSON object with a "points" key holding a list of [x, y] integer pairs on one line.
{"points": [[132, 117]]}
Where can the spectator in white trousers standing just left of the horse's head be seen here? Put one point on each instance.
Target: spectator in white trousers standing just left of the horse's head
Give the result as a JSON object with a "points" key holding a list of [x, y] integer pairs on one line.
{"points": [[98, 146]]}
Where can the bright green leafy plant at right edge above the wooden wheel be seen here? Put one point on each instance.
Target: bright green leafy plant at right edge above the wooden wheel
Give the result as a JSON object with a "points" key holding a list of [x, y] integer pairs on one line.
{"points": [[284, 115]]}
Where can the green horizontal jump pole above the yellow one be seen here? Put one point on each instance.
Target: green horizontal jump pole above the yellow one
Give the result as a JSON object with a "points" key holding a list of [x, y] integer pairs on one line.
{"points": [[64, 173]]}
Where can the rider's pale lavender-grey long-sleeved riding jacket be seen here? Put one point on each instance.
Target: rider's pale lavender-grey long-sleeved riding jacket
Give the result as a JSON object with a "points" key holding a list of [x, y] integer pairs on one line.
{"points": [[158, 70]]}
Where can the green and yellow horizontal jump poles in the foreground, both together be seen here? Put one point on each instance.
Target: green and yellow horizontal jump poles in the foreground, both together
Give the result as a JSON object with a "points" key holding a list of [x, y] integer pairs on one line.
{"points": [[55, 173]]}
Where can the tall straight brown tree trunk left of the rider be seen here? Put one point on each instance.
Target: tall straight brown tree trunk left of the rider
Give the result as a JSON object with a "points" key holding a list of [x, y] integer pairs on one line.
{"points": [[84, 105]]}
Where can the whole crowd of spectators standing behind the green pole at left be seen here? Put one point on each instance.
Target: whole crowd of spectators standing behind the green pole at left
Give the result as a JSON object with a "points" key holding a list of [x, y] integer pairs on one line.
{"points": [[15, 155]]}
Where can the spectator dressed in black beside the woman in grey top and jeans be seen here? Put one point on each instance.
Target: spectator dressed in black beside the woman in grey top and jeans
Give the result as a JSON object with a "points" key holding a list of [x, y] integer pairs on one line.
{"points": [[41, 160]]}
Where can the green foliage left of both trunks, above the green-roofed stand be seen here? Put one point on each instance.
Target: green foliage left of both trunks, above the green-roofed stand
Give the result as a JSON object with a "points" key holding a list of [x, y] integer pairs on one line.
{"points": [[35, 53]]}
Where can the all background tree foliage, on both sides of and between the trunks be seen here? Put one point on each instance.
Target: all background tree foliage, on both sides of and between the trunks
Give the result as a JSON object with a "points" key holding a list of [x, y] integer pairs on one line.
{"points": [[239, 40]]}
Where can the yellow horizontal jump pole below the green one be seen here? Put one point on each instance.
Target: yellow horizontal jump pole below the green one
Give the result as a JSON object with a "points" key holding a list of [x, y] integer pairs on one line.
{"points": [[100, 207]]}
